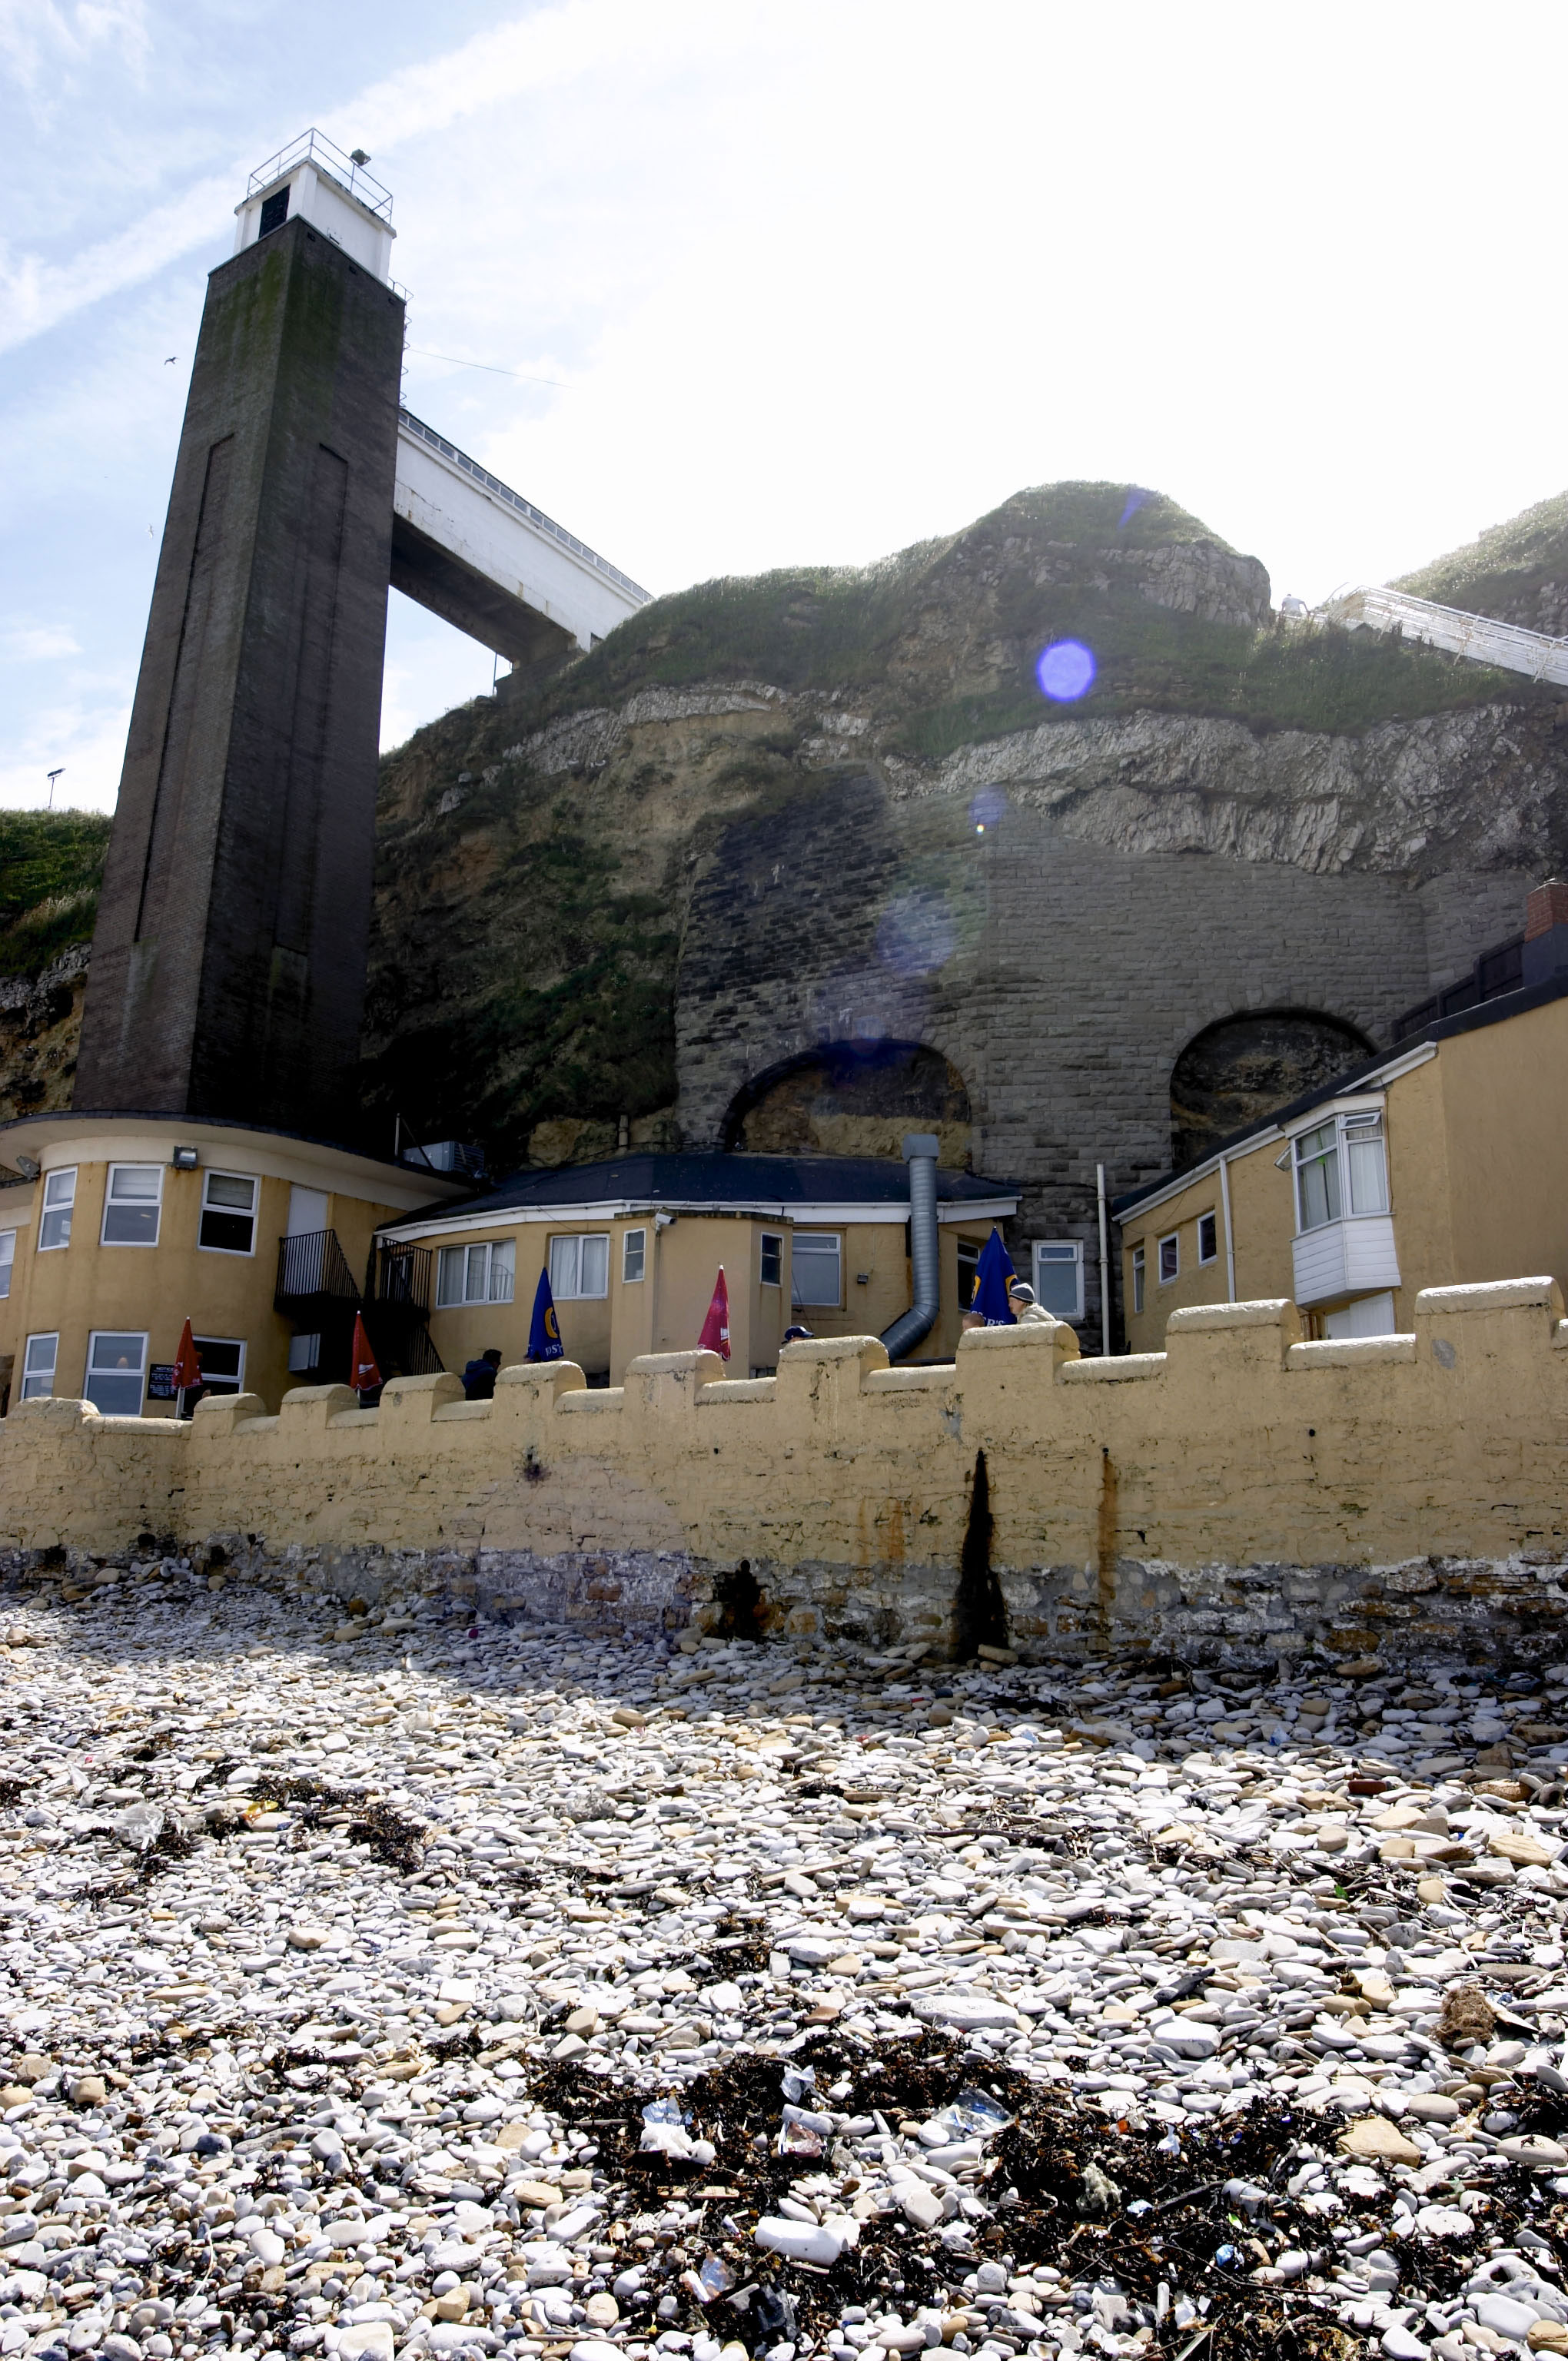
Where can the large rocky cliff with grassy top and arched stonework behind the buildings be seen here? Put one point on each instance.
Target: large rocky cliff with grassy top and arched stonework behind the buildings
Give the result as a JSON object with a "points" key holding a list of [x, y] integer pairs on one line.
{"points": [[811, 858]]}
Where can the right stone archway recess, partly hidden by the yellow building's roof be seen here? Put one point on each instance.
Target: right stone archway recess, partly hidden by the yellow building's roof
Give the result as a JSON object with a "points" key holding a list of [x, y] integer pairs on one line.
{"points": [[1246, 1068]]}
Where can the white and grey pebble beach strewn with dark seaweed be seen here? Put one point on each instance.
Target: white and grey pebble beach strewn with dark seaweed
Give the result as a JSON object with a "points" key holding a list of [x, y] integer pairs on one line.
{"points": [[393, 1982]]}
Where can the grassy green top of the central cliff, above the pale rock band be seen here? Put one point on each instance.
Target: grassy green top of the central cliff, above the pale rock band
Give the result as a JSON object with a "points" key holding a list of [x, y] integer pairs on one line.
{"points": [[941, 639]]}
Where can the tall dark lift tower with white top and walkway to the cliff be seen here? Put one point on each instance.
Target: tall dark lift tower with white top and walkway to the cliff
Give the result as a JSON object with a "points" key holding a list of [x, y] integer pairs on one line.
{"points": [[230, 950]]}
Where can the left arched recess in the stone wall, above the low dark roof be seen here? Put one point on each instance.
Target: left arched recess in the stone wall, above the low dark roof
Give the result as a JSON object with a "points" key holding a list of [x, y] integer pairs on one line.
{"points": [[854, 1099]]}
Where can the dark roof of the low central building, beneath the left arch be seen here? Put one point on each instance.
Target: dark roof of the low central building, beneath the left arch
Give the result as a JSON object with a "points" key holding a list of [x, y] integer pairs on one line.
{"points": [[717, 1182]]}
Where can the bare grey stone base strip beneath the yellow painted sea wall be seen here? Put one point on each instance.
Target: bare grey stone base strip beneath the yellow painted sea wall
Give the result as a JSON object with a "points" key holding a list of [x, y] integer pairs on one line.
{"points": [[1224, 1616]]}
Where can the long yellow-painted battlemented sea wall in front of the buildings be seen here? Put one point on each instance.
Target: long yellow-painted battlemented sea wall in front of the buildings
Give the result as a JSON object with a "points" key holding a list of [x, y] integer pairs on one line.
{"points": [[849, 1489]]}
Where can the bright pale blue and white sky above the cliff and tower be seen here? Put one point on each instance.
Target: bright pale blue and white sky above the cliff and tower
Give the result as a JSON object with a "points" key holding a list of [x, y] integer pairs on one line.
{"points": [[804, 282]]}
